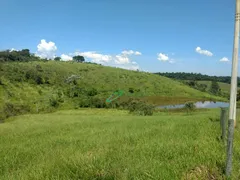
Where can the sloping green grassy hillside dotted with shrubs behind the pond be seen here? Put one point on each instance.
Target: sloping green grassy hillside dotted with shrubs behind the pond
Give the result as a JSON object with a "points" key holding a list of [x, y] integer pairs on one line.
{"points": [[41, 86]]}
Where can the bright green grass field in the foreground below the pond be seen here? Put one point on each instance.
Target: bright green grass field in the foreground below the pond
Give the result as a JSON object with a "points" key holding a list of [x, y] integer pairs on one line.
{"points": [[110, 144]]}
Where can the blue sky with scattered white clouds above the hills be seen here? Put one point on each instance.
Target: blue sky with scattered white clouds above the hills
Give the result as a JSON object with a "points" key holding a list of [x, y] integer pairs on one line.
{"points": [[149, 35]]}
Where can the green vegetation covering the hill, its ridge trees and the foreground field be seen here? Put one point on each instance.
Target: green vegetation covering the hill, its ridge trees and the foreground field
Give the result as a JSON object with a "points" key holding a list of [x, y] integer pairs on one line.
{"points": [[96, 141]]}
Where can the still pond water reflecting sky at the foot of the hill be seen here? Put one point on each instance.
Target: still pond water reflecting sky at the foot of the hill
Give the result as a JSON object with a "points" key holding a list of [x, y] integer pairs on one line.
{"points": [[200, 104]]}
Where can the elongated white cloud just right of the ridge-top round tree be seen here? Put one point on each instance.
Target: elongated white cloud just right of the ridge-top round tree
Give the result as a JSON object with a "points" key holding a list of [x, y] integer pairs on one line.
{"points": [[95, 57]]}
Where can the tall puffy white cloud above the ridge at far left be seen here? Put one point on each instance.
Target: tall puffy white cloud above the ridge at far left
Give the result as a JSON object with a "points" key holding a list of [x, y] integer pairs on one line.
{"points": [[46, 49]]}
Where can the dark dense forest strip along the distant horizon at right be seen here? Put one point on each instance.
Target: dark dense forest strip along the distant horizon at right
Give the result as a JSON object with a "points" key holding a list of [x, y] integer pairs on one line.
{"points": [[197, 77]]}
